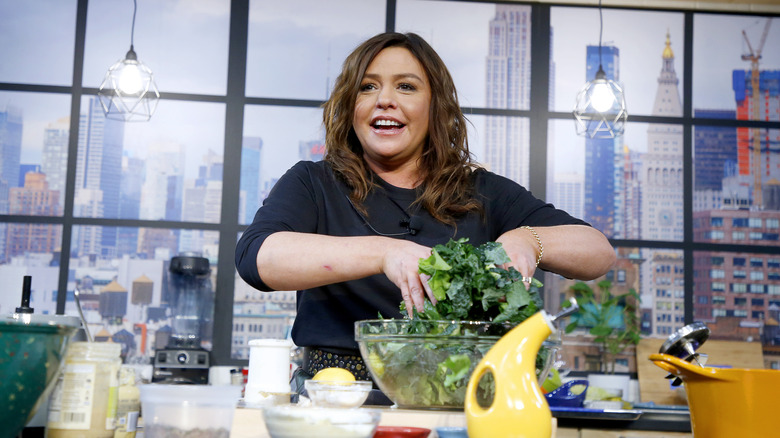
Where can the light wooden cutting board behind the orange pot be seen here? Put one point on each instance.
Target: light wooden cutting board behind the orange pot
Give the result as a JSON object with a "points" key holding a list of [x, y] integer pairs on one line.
{"points": [[653, 386]]}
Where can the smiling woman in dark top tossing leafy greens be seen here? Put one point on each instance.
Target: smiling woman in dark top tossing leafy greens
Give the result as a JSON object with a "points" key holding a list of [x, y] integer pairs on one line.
{"points": [[397, 178]]}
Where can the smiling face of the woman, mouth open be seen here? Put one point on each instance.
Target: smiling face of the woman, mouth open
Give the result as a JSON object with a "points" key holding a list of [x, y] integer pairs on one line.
{"points": [[391, 110]]}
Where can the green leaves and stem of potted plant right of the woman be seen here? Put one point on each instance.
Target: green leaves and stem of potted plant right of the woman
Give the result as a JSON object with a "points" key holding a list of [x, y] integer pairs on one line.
{"points": [[612, 320]]}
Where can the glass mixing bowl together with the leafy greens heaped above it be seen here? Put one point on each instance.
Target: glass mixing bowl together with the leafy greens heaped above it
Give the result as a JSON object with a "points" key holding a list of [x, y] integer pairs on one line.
{"points": [[425, 362]]}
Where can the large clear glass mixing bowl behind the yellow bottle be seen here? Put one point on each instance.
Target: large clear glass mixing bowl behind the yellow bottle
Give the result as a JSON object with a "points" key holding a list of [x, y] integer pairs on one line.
{"points": [[427, 364]]}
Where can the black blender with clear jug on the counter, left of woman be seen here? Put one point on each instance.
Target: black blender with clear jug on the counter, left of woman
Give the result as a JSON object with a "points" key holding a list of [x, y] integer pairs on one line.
{"points": [[184, 360]]}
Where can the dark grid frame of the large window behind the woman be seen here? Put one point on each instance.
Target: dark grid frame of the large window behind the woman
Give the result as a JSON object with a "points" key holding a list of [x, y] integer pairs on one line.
{"points": [[235, 101]]}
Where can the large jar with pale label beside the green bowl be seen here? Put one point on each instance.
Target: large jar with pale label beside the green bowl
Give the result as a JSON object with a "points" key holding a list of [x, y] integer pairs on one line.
{"points": [[84, 401]]}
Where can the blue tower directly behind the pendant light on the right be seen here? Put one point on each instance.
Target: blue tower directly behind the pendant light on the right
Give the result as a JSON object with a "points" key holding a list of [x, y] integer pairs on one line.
{"points": [[601, 173]]}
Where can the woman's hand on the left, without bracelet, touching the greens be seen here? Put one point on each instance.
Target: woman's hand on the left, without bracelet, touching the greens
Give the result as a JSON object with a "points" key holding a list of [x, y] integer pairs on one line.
{"points": [[400, 265]]}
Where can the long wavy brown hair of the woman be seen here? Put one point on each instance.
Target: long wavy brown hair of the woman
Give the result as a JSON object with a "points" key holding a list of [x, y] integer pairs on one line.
{"points": [[446, 164]]}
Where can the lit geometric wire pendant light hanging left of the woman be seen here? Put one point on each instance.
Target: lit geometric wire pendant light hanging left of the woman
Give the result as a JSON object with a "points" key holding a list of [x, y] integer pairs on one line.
{"points": [[128, 91]]}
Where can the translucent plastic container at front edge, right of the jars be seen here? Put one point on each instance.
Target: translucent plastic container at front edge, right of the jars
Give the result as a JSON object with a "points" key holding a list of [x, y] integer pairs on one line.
{"points": [[179, 410]]}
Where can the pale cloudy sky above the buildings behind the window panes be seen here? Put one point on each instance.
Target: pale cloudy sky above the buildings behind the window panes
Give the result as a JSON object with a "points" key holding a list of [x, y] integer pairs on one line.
{"points": [[185, 43]]}
